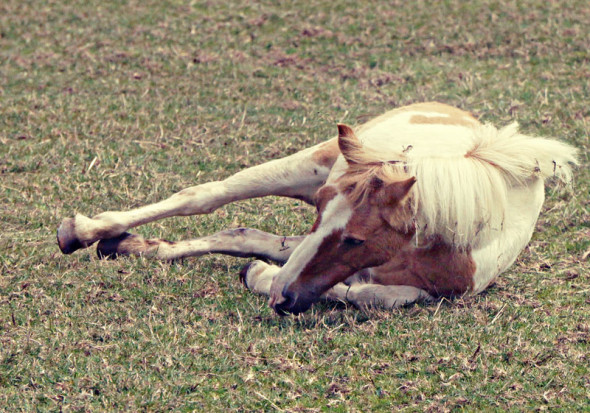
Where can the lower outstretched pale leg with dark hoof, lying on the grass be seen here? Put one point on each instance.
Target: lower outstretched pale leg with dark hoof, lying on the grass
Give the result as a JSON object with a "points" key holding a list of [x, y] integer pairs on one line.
{"points": [[240, 242]]}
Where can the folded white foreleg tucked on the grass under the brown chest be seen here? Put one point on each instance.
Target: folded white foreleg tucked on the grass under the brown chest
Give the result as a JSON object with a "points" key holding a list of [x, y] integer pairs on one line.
{"points": [[376, 295]]}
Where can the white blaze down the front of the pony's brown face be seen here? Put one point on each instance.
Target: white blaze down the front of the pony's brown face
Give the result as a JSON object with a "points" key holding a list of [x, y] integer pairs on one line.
{"points": [[334, 217]]}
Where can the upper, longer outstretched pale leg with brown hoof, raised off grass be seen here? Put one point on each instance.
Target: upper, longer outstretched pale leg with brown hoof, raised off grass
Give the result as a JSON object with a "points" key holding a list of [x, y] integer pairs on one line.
{"points": [[298, 176]]}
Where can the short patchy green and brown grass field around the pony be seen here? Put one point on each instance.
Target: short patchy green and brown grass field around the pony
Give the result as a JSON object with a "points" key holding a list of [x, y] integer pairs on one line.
{"points": [[110, 105]]}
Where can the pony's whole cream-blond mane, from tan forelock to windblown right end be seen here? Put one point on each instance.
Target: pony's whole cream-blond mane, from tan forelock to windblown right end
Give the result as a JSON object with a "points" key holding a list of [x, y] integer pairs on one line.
{"points": [[461, 197]]}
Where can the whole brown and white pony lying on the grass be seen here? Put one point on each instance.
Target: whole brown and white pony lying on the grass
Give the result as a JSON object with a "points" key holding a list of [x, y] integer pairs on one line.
{"points": [[419, 203]]}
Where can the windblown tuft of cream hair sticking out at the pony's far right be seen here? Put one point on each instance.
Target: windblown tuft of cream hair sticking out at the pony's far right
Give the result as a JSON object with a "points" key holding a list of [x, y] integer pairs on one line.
{"points": [[521, 157]]}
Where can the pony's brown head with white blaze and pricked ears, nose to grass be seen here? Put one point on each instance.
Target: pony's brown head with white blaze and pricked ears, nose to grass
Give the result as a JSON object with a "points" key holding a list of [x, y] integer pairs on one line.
{"points": [[364, 218]]}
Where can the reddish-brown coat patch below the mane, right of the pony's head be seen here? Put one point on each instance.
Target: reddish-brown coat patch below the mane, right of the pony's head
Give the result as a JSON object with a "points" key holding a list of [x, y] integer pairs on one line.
{"points": [[438, 269]]}
